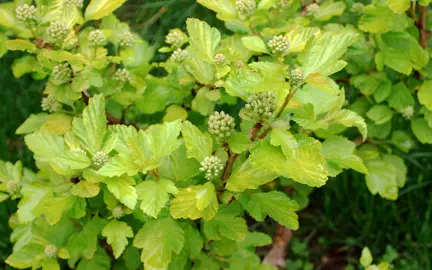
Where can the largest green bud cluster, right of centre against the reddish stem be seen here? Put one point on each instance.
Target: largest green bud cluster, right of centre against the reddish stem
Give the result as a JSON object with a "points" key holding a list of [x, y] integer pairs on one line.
{"points": [[261, 105]]}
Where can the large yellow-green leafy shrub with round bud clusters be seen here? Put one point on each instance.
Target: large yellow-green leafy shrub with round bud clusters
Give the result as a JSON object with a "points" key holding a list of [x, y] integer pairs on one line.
{"points": [[176, 158]]}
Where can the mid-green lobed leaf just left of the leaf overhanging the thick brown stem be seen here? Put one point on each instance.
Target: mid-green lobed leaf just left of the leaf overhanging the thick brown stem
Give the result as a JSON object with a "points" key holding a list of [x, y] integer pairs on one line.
{"points": [[225, 224]]}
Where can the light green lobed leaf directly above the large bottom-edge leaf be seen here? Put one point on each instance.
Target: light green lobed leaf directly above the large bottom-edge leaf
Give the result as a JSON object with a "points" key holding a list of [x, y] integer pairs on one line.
{"points": [[154, 195]]}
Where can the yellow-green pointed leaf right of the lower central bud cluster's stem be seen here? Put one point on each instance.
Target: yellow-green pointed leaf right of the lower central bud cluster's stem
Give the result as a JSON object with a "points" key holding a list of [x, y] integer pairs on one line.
{"points": [[246, 176]]}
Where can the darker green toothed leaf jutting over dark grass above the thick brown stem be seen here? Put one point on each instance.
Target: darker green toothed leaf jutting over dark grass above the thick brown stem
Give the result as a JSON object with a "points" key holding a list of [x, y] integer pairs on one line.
{"points": [[274, 204]]}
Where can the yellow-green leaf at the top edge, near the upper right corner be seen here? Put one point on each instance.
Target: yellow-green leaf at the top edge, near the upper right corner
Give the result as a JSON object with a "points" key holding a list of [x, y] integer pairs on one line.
{"points": [[380, 19]]}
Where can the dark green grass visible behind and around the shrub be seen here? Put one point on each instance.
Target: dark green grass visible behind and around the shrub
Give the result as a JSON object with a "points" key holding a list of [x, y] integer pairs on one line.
{"points": [[343, 216]]}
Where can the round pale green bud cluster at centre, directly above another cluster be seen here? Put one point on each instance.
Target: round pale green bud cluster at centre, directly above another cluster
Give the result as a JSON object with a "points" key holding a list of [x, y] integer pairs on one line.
{"points": [[221, 125]]}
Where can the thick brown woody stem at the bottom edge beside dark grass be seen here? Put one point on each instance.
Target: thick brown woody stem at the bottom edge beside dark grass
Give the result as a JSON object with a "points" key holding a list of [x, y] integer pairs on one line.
{"points": [[276, 255]]}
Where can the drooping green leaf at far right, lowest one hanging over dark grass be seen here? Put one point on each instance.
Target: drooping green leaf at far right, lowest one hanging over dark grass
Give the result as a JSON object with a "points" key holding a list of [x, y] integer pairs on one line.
{"points": [[381, 178]]}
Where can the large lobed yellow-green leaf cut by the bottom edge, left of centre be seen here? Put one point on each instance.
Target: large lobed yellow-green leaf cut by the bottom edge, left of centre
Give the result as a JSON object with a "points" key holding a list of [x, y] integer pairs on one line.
{"points": [[159, 239]]}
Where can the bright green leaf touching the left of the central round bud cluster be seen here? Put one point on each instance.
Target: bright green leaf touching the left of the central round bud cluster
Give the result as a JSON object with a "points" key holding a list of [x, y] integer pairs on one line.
{"points": [[198, 145]]}
